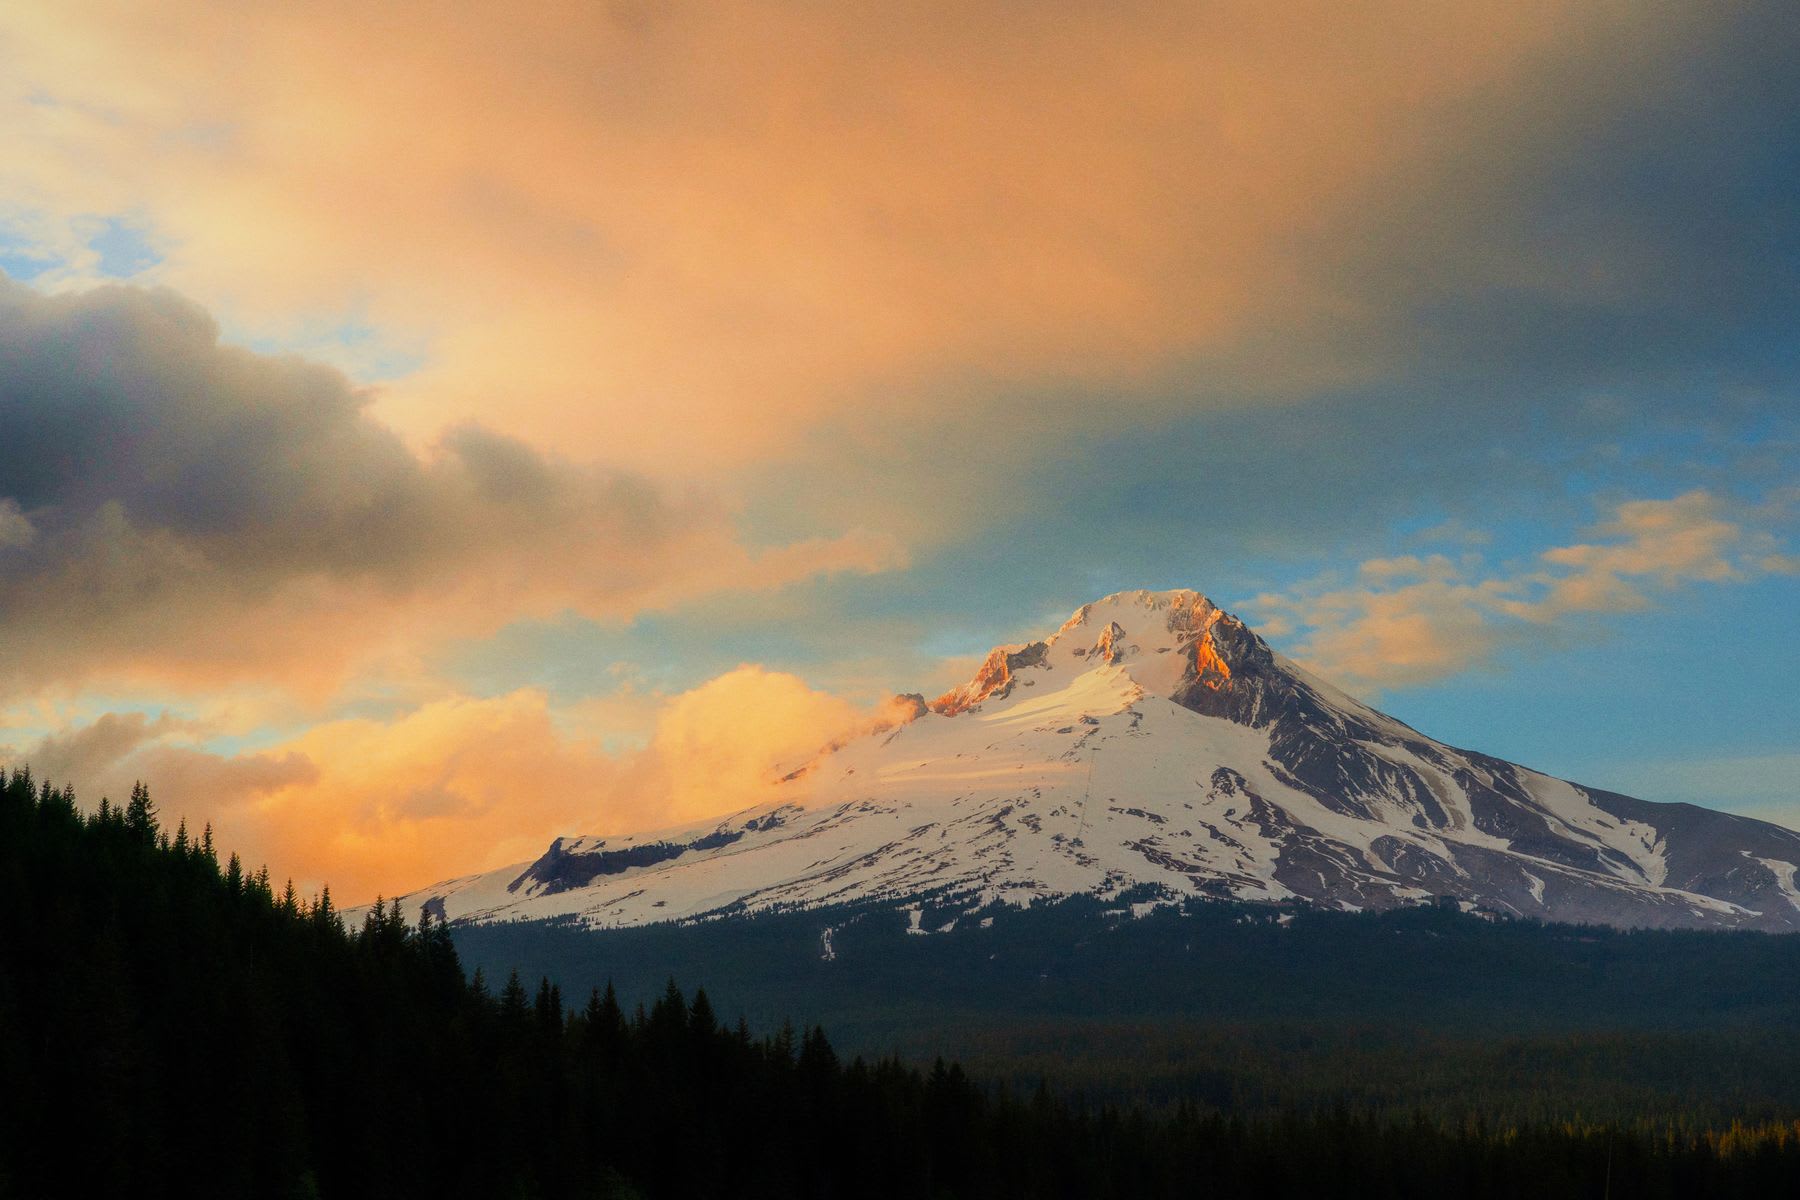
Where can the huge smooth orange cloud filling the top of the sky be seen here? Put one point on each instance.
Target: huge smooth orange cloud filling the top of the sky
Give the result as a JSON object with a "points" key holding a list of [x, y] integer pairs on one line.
{"points": [[676, 235]]}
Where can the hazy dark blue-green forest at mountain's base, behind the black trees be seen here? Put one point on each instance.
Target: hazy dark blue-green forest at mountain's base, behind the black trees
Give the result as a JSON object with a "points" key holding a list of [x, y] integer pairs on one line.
{"points": [[1250, 1008]]}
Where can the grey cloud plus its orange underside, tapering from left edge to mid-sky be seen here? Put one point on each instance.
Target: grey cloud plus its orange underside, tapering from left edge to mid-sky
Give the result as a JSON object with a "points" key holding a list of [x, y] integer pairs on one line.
{"points": [[188, 514]]}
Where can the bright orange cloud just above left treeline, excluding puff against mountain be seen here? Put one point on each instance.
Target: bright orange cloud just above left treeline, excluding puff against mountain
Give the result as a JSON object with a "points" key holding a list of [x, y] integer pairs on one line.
{"points": [[361, 805]]}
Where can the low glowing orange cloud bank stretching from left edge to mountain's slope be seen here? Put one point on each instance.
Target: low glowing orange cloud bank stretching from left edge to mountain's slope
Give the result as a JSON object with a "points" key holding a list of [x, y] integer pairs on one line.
{"points": [[462, 784]]}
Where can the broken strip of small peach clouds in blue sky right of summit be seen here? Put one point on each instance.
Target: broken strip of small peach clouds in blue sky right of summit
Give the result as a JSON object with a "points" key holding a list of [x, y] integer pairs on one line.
{"points": [[1417, 620]]}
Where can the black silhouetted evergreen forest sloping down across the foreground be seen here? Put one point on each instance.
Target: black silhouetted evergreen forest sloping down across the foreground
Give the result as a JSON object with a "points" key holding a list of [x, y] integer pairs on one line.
{"points": [[172, 1026]]}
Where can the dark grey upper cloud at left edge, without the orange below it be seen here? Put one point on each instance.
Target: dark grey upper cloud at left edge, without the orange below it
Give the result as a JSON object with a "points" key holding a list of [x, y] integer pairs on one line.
{"points": [[269, 465]]}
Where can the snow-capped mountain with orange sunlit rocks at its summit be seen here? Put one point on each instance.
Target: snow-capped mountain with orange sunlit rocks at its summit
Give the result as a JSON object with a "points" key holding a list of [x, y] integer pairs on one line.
{"points": [[1156, 740]]}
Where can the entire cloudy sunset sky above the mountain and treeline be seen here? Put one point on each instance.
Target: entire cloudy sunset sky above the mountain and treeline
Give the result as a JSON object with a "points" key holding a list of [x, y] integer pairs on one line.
{"points": [[429, 429]]}
